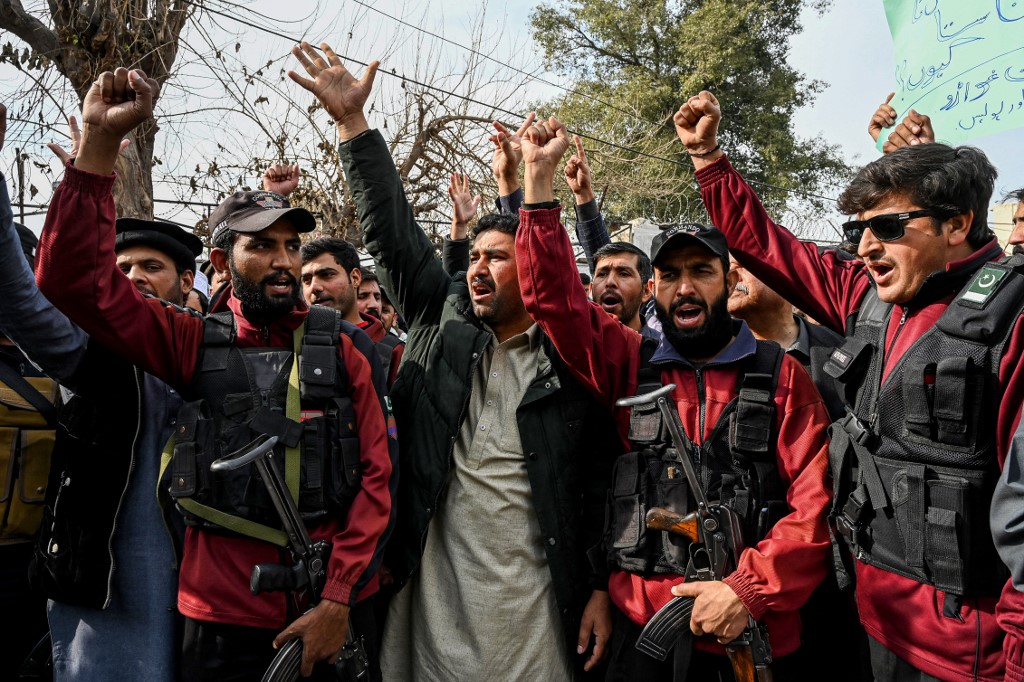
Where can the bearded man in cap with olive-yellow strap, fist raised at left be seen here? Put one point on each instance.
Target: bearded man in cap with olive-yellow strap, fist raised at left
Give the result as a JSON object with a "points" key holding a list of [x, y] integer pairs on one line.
{"points": [[239, 369]]}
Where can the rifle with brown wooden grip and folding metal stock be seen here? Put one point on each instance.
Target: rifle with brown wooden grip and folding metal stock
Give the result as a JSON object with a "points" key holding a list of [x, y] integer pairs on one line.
{"points": [[716, 536]]}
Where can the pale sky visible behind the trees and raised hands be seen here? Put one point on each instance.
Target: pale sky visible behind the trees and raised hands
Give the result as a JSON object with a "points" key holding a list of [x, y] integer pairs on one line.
{"points": [[849, 49]]}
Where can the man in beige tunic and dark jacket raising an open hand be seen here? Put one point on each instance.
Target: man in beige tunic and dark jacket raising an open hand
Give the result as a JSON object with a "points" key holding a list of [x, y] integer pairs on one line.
{"points": [[505, 457]]}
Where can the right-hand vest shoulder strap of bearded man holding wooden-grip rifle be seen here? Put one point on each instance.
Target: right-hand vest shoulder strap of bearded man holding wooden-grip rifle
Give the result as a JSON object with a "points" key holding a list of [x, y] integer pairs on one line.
{"points": [[755, 416]]}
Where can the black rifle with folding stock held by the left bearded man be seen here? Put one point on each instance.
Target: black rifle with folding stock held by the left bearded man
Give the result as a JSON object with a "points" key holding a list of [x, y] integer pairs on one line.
{"points": [[309, 572]]}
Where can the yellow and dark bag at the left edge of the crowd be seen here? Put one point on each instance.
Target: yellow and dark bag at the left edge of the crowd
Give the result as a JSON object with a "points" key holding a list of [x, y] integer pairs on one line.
{"points": [[26, 445]]}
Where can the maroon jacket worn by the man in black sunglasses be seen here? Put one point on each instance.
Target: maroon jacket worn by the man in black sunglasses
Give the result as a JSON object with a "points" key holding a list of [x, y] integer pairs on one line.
{"points": [[902, 614]]}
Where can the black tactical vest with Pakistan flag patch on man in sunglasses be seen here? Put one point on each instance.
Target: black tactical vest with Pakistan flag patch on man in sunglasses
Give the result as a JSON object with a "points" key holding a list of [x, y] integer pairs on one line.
{"points": [[915, 461]]}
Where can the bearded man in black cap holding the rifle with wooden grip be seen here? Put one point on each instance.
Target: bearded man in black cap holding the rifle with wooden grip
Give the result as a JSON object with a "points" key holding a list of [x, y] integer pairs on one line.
{"points": [[714, 363]]}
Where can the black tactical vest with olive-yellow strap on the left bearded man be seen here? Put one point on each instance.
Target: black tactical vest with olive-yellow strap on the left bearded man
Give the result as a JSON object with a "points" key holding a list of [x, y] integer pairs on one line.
{"points": [[241, 394]]}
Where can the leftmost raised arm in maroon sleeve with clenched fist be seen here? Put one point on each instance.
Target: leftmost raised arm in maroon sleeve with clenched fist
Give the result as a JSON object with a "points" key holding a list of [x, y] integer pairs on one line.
{"points": [[77, 271]]}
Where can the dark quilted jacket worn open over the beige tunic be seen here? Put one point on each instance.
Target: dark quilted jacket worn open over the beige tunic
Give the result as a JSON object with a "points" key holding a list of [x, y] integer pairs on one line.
{"points": [[569, 440]]}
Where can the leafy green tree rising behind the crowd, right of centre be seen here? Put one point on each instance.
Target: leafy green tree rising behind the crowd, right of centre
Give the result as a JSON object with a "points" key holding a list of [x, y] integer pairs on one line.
{"points": [[633, 63]]}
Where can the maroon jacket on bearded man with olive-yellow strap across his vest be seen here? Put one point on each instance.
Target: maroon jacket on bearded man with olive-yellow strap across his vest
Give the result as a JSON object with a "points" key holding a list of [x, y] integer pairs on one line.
{"points": [[77, 273]]}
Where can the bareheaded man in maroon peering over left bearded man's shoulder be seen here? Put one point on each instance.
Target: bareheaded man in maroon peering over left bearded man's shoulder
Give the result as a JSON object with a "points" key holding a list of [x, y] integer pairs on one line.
{"points": [[331, 277]]}
